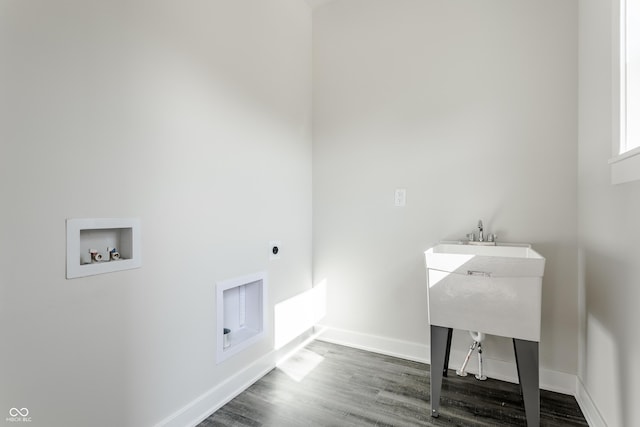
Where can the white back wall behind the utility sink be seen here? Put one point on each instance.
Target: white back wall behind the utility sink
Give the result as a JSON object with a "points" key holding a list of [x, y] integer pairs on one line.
{"points": [[470, 106]]}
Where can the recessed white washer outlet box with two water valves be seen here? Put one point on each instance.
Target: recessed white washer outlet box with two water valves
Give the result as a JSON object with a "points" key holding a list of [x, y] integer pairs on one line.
{"points": [[102, 245]]}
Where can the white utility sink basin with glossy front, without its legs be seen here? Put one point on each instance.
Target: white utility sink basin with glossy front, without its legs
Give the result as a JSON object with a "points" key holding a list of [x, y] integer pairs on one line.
{"points": [[492, 289]]}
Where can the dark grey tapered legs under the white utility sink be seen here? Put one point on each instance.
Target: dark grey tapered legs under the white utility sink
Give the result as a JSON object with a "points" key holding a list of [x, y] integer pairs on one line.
{"points": [[527, 362]]}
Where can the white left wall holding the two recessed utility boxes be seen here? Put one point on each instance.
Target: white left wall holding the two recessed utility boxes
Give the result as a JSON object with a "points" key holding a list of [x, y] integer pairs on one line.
{"points": [[193, 117]]}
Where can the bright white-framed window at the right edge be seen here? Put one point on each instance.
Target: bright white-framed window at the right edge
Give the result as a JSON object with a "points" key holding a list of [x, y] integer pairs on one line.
{"points": [[625, 165]]}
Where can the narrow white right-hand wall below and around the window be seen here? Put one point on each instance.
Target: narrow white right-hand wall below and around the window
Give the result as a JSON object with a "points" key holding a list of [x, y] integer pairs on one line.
{"points": [[609, 234]]}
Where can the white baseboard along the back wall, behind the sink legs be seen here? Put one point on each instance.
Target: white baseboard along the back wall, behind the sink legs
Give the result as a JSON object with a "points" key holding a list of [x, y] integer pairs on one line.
{"points": [[559, 382]]}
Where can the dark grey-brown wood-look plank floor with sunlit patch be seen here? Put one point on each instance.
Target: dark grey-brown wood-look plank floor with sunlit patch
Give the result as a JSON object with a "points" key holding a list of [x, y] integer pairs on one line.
{"points": [[330, 385]]}
